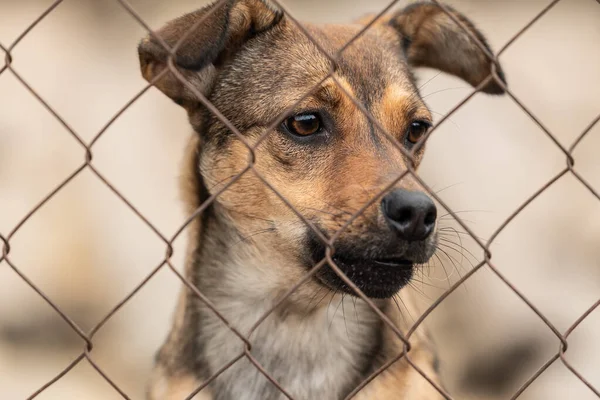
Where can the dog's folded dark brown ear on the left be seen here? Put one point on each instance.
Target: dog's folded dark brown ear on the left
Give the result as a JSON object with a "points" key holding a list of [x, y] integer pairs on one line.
{"points": [[226, 26]]}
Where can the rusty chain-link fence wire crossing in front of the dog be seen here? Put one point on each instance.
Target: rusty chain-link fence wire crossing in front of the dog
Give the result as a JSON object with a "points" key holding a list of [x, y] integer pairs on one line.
{"points": [[328, 242]]}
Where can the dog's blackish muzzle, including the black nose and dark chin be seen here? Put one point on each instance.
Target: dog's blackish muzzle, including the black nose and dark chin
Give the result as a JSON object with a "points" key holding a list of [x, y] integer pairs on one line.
{"points": [[383, 262]]}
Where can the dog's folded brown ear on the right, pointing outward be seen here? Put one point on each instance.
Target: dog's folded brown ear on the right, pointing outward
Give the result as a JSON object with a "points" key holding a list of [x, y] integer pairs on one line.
{"points": [[431, 38]]}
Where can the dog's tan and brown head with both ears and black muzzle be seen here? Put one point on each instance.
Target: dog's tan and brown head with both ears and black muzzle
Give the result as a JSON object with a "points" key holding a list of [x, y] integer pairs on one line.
{"points": [[326, 157]]}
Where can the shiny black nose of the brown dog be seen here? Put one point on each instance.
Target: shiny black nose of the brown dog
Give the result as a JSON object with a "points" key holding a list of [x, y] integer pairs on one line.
{"points": [[411, 215]]}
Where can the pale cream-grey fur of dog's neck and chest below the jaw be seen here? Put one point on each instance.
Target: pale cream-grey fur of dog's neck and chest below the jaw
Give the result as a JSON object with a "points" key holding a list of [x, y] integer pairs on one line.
{"points": [[317, 344]]}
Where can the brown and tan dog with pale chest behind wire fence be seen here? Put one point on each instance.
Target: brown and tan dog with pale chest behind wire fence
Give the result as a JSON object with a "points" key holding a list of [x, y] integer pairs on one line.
{"points": [[326, 161]]}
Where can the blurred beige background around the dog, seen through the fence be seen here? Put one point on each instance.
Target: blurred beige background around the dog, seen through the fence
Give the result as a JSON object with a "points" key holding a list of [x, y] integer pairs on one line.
{"points": [[87, 250]]}
